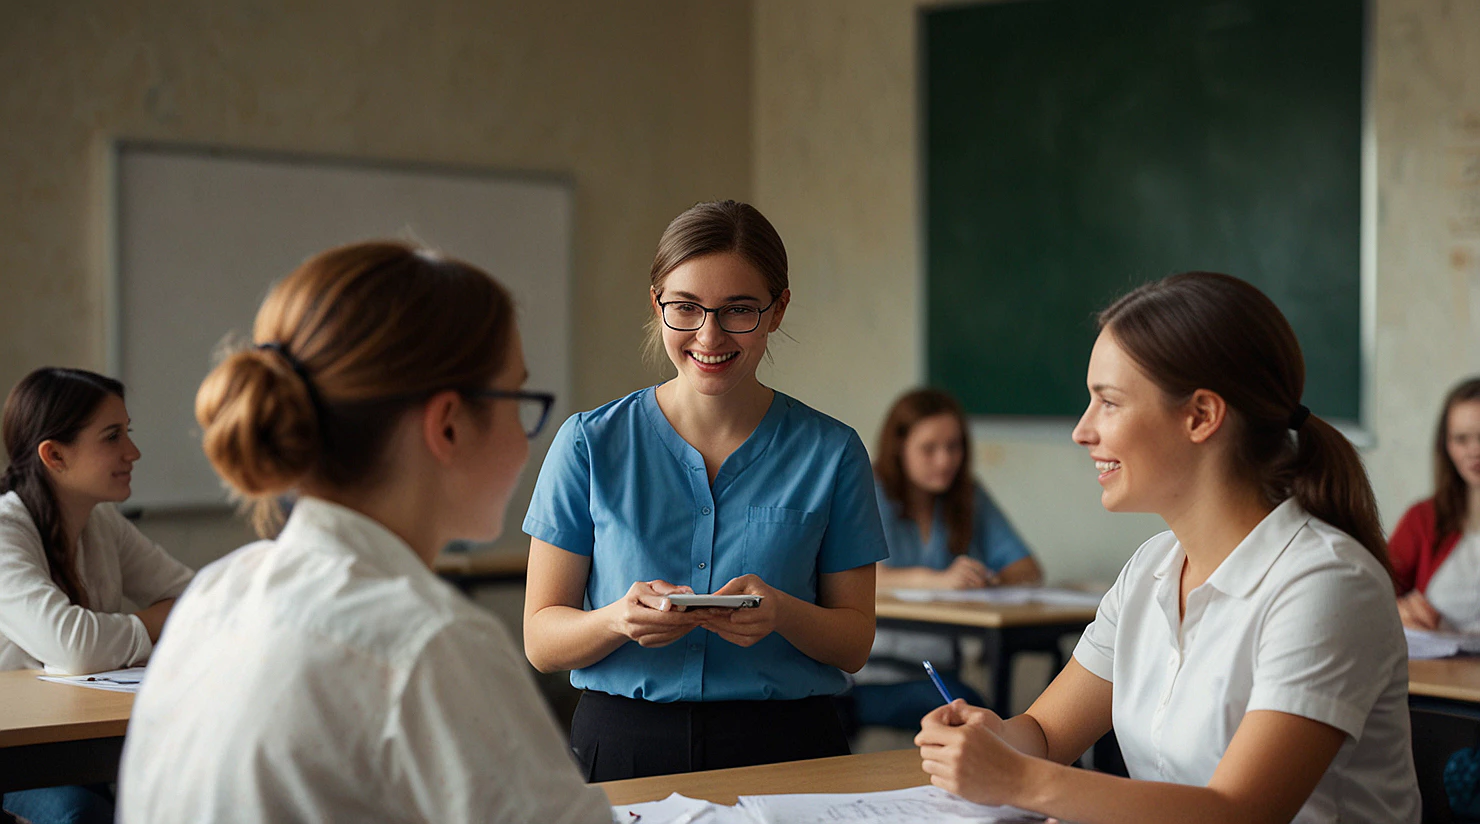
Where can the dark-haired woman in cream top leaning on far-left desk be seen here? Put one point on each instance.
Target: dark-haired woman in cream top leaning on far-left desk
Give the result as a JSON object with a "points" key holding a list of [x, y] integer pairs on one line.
{"points": [[67, 563]]}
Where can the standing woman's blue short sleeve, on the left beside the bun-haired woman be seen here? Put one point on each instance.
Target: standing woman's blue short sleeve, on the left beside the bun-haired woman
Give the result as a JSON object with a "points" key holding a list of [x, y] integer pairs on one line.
{"points": [[560, 510]]}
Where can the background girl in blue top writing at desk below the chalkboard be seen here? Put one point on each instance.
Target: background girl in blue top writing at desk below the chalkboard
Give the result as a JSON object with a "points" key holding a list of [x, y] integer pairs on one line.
{"points": [[945, 532]]}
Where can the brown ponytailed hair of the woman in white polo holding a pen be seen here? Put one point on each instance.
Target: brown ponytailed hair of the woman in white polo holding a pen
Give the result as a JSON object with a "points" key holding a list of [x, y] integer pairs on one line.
{"points": [[1204, 331]]}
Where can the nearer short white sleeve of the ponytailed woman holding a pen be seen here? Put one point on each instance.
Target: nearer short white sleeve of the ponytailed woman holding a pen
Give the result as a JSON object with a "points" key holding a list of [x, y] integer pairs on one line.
{"points": [[1328, 647]]}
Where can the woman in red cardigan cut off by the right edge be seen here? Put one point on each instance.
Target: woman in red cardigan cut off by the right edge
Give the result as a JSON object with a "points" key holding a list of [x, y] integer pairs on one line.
{"points": [[1436, 547]]}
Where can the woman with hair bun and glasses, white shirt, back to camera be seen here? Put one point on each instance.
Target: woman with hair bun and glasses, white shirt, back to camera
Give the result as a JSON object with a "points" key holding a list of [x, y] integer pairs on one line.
{"points": [[328, 675]]}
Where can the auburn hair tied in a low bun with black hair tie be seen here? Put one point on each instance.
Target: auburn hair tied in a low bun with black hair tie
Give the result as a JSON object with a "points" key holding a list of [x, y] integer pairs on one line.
{"points": [[375, 328]]}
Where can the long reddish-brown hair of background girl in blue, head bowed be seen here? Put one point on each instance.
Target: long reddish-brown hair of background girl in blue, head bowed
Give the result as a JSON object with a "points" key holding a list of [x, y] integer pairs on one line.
{"points": [[889, 467]]}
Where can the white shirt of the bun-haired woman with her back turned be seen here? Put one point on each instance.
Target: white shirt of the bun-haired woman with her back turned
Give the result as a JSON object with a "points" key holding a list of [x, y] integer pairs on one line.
{"points": [[331, 677]]}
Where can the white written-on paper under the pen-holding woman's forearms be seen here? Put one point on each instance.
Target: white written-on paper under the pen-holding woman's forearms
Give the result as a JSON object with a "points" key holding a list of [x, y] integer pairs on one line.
{"points": [[917, 804]]}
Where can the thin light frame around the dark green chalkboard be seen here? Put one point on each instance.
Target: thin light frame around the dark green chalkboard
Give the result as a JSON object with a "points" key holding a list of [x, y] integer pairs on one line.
{"points": [[1057, 428]]}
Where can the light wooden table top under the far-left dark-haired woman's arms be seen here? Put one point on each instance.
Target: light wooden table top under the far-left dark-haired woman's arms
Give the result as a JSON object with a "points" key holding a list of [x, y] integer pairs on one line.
{"points": [[39, 712]]}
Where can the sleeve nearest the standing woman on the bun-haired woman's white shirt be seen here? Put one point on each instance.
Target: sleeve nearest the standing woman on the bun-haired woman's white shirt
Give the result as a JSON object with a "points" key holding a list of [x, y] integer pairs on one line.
{"points": [[471, 739]]}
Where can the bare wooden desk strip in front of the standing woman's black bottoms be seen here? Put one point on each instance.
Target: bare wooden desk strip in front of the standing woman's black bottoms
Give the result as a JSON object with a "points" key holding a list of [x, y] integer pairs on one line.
{"points": [[896, 770]]}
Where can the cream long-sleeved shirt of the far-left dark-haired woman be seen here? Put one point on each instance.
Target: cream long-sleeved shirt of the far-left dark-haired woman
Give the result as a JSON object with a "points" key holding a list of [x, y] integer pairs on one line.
{"points": [[42, 628]]}
